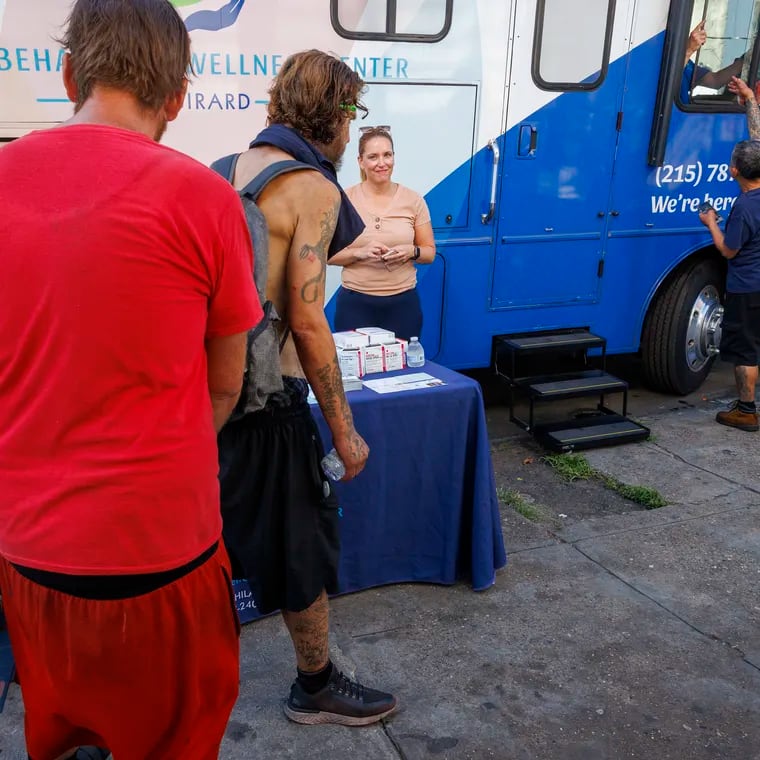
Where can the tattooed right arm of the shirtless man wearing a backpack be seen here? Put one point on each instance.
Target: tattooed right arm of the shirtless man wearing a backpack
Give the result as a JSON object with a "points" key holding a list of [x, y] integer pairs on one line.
{"points": [[318, 206]]}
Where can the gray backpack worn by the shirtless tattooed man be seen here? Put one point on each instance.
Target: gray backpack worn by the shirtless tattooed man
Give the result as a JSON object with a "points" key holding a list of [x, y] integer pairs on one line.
{"points": [[262, 372]]}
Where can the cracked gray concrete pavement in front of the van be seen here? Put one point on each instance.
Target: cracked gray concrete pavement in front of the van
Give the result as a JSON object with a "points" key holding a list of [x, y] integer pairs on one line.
{"points": [[625, 636]]}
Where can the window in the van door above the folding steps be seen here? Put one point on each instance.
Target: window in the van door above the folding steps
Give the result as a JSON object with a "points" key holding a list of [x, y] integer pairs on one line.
{"points": [[577, 59]]}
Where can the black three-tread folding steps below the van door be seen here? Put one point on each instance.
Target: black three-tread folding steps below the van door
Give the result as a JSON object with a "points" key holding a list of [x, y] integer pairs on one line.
{"points": [[586, 429]]}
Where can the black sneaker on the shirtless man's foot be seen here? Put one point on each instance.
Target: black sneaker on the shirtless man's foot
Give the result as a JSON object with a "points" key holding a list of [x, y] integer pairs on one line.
{"points": [[342, 701]]}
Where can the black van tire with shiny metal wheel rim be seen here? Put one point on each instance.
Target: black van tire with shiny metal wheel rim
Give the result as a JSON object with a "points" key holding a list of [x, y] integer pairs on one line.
{"points": [[682, 329]]}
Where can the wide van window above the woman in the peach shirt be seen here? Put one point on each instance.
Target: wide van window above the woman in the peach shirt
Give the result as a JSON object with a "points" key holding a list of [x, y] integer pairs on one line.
{"points": [[391, 20]]}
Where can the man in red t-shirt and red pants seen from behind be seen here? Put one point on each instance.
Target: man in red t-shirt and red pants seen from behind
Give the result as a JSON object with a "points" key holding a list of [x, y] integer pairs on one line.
{"points": [[127, 292]]}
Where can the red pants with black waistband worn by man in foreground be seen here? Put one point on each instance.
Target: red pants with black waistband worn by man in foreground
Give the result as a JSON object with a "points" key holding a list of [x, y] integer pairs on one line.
{"points": [[154, 677]]}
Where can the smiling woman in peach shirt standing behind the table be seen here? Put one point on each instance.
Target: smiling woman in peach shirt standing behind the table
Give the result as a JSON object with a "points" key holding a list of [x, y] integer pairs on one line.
{"points": [[379, 276]]}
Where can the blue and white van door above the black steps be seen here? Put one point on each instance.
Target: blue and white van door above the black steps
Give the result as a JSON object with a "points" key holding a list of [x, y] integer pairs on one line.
{"points": [[568, 72]]}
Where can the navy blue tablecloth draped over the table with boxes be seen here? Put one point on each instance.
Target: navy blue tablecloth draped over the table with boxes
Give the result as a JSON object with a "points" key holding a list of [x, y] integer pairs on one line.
{"points": [[425, 507]]}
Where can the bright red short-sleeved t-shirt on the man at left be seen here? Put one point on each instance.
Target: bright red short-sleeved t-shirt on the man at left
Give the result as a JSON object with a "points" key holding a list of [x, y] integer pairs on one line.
{"points": [[118, 257]]}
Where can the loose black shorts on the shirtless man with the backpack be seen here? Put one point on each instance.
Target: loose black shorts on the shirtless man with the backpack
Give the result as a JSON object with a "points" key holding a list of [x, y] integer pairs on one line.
{"points": [[280, 519]]}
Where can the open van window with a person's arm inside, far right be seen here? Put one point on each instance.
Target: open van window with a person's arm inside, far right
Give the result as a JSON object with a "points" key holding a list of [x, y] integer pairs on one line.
{"points": [[729, 50]]}
